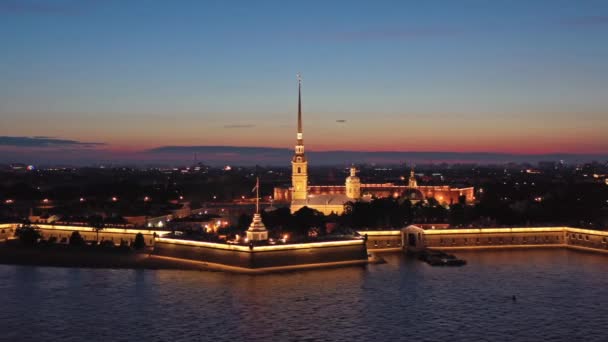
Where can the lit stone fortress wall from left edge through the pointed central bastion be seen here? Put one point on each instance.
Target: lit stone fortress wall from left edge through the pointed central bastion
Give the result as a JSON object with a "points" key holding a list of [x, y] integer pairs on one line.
{"points": [[220, 256]]}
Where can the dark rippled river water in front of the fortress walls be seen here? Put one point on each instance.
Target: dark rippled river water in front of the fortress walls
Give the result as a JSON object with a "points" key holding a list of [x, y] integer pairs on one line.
{"points": [[560, 296]]}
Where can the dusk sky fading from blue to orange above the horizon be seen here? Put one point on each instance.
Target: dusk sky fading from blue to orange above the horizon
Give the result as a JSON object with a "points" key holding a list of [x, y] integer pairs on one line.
{"points": [[112, 79]]}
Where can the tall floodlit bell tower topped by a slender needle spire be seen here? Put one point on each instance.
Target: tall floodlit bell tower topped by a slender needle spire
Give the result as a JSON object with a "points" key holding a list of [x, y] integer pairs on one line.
{"points": [[299, 165]]}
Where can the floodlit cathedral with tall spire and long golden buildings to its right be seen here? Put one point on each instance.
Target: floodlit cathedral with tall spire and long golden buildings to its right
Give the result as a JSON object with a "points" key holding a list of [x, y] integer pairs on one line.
{"points": [[330, 199]]}
